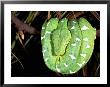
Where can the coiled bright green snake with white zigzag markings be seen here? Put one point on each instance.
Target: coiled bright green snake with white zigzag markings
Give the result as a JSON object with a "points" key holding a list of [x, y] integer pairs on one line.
{"points": [[67, 45]]}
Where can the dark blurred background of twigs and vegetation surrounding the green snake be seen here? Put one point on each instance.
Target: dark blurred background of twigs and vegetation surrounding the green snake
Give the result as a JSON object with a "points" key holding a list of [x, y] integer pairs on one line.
{"points": [[26, 49]]}
